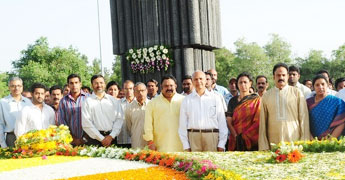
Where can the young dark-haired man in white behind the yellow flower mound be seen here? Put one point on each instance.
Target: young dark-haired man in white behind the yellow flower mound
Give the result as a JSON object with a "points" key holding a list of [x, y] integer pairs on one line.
{"points": [[37, 116]]}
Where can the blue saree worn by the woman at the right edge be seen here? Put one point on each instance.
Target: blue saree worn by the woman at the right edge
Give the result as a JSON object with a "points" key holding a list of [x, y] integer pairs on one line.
{"points": [[325, 115]]}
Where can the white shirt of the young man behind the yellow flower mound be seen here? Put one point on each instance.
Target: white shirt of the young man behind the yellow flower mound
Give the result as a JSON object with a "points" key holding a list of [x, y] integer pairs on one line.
{"points": [[33, 118]]}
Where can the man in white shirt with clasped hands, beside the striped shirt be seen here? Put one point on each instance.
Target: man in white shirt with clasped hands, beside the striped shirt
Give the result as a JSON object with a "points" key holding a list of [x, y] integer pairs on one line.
{"points": [[102, 115]]}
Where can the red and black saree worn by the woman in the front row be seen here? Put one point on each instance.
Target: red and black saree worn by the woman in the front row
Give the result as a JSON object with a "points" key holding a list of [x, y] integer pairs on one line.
{"points": [[245, 121]]}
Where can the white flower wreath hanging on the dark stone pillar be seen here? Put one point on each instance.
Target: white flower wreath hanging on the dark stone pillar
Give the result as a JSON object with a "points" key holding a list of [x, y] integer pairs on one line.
{"points": [[147, 60]]}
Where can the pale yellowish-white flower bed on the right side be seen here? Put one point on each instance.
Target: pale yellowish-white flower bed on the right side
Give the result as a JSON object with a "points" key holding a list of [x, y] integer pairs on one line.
{"points": [[254, 165]]}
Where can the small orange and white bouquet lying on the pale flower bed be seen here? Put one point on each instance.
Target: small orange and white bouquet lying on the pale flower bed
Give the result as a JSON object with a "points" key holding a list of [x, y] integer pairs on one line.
{"points": [[286, 153]]}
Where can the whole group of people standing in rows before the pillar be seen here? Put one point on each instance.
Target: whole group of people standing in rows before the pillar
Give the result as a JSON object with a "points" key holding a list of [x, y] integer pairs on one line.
{"points": [[204, 117]]}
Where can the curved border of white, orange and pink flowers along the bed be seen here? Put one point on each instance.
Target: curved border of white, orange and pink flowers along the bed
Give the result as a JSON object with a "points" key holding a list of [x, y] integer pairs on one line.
{"points": [[195, 169]]}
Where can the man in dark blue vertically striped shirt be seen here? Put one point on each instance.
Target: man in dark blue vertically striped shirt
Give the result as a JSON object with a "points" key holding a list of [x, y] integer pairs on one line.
{"points": [[69, 112]]}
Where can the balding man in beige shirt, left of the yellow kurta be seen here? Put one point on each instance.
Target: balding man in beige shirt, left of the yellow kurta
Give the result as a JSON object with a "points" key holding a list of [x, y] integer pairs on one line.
{"points": [[135, 116]]}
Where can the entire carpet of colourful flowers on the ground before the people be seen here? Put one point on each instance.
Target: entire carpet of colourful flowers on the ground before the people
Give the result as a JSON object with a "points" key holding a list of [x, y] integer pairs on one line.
{"points": [[328, 163]]}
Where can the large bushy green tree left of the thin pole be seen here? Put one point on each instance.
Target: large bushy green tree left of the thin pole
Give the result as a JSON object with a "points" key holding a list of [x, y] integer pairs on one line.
{"points": [[50, 66]]}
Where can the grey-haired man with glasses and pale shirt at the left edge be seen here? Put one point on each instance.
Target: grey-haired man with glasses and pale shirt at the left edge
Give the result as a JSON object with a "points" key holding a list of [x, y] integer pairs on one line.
{"points": [[10, 108]]}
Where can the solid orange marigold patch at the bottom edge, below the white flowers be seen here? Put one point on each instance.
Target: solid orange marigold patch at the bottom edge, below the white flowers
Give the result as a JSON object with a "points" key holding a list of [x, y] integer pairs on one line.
{"points": [[152, 173]]}
